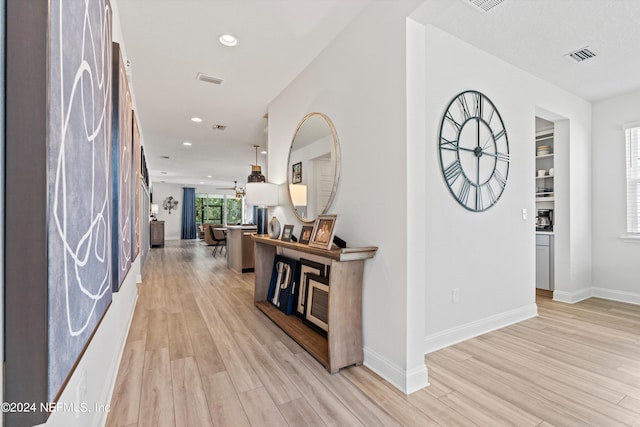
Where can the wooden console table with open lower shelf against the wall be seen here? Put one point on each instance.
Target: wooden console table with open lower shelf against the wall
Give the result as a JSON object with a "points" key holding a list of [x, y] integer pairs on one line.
{"points": [[343, 344]]}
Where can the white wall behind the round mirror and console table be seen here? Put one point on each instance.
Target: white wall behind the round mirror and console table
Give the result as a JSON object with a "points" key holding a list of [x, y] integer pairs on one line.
{"points": [[359, 82]]}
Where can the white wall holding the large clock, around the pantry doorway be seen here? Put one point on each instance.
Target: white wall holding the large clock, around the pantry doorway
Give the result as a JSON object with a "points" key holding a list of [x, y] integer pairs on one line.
{"points": [[490, 256]]}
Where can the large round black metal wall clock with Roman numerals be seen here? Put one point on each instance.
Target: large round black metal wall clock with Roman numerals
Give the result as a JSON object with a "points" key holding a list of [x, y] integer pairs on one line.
{"points": [[474, 151]]}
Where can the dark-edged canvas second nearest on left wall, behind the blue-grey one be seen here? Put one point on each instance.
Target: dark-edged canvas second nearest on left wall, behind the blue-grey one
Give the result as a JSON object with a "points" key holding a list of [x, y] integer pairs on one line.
{"points": [[122, 185]]}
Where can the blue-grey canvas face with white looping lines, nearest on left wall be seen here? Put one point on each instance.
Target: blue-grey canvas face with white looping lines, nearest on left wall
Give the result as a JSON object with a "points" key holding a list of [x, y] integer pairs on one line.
{"points": [[80, 210]]}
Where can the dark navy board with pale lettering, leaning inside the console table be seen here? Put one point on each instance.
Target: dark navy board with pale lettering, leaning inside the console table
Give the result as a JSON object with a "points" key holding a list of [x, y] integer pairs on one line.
{"points": [[282, 286]]}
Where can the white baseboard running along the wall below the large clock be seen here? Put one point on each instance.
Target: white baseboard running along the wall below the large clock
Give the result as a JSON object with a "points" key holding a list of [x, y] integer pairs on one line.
{"points": [[461, 333]]}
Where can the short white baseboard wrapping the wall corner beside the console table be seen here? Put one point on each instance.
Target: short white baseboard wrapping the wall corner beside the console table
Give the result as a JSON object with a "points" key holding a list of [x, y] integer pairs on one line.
{"points": [[407, 381]]}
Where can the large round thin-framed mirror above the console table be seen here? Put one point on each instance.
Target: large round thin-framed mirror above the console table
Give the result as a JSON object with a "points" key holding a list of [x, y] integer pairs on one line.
{"points": [[313, 167]]}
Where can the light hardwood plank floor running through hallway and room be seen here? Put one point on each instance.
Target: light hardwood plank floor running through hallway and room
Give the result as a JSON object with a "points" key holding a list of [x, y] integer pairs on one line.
{"points": [[199, 354]]}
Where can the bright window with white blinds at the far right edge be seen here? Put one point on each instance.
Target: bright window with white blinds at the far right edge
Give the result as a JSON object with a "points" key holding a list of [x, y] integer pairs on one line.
{"points": [[633, 178]]}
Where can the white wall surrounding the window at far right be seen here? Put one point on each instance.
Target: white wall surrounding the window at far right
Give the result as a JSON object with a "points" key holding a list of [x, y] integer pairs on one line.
{"points": [[615, 262]]}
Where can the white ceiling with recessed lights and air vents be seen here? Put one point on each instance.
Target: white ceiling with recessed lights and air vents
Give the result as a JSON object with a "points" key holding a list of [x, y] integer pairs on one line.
{"points": [[169, 41]]}
